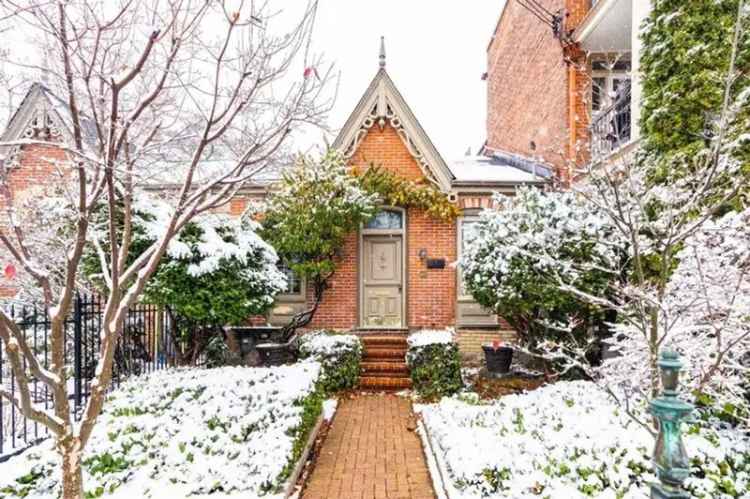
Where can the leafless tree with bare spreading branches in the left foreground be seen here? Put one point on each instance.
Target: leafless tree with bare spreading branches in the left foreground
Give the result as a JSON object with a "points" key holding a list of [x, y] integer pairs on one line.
{"points": [[193, 95]]}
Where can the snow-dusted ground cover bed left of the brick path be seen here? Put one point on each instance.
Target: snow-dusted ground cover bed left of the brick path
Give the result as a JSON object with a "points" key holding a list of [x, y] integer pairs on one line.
{"points": [[228, 432]]}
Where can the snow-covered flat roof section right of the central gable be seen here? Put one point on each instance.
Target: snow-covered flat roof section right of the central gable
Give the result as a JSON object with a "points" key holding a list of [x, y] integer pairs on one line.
{"points": [[489, 169]]}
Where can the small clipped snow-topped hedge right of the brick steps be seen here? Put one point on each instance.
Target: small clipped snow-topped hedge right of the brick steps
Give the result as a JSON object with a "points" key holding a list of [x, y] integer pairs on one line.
{"points": [[434, 363]]}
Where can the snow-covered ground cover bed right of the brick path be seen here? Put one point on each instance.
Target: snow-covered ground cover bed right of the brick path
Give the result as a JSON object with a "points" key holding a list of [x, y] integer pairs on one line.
{"points": [[567, 440]]}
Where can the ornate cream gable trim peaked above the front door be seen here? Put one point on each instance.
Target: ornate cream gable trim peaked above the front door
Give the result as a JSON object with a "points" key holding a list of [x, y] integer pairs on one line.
{"points": [[383, 104]]}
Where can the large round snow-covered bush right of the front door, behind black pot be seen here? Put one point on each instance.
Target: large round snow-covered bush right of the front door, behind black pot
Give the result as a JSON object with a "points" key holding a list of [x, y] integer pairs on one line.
{"points": [[525, 247]]}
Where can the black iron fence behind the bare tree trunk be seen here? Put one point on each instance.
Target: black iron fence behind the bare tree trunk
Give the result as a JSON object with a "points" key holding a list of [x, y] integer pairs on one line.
{"points": [[146, 345]]}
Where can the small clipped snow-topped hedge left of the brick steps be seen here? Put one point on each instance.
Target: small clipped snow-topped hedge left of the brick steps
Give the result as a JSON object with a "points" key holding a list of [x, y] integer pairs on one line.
{"points": [[339, 354]]}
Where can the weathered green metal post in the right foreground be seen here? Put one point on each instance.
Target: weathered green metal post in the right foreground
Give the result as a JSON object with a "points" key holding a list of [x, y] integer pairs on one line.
{"points": [[670, 458]]}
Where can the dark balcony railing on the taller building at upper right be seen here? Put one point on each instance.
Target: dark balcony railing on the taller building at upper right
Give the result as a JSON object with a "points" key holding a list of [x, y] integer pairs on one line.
{"points": [[610, 128]]}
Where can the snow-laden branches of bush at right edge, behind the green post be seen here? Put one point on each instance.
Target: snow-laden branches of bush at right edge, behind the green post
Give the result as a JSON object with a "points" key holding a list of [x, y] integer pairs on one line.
{"points": [[704, 315]]}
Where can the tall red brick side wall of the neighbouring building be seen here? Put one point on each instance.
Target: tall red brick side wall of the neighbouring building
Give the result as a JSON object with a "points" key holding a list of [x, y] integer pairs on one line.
{"points": [[529, 86]]}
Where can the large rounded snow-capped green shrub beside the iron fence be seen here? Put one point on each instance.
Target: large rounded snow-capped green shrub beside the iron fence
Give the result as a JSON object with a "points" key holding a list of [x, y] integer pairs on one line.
{"points": [[217, 272]]}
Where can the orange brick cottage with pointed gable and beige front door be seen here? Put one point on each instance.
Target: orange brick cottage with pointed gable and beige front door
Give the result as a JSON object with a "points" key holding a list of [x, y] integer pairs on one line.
{"points": [[398, 272]]}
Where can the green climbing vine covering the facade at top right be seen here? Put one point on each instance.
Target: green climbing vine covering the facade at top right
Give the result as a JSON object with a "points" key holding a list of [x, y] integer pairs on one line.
{"points": [[687, 53]]}
